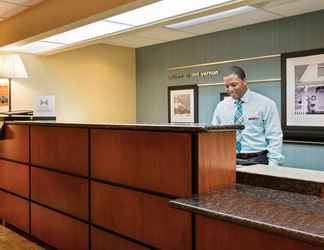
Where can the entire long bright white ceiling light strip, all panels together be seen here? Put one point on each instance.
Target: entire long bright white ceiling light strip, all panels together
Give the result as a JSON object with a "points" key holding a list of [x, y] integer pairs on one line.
{"points": [[147, 14]]}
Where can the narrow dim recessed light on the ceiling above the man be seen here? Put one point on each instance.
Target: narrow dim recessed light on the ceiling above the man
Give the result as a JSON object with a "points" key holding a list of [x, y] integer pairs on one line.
{"points": [[213, 17]]}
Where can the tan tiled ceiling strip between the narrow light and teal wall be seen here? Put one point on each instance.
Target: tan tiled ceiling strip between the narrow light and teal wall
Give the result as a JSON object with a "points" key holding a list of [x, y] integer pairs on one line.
{"points": [[274, 9]]}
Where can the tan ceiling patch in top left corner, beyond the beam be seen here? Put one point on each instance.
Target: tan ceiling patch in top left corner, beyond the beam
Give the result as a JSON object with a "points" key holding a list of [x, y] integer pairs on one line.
{"points": [[9, 8]]}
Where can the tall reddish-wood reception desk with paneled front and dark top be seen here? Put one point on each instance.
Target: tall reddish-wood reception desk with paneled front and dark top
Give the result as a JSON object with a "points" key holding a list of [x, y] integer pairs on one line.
{"points": [[107, 186]]}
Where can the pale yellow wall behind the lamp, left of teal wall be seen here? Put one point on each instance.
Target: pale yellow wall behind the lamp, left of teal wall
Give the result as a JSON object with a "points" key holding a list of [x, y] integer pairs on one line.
{"points": [[91, 84]]}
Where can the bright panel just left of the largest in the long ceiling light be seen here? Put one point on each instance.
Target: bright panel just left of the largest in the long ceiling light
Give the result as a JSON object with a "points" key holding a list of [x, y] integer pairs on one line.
{"points": [[86, 32]]}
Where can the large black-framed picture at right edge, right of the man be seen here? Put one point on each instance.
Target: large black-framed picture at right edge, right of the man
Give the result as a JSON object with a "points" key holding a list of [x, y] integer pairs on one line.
{"points": [[303, 95]]}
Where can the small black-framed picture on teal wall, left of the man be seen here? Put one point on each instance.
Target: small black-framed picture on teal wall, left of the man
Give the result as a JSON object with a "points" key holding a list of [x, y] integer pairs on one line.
{"points": [[183, 104]]}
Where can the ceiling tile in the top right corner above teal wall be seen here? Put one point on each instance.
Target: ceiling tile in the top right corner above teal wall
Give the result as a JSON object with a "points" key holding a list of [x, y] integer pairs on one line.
{"points": [[294, 7]]}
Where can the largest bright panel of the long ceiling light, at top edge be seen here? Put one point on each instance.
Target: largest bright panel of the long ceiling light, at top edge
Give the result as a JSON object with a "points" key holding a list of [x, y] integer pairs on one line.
{"points": [[162, 10]]}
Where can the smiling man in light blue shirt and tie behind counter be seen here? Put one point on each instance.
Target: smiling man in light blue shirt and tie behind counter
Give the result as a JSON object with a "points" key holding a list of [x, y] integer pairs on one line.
{"points": [[261, 139]]}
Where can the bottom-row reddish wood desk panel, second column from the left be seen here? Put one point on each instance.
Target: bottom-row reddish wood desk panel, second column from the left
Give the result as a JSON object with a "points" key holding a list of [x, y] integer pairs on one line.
{"points": [[58, 230]]}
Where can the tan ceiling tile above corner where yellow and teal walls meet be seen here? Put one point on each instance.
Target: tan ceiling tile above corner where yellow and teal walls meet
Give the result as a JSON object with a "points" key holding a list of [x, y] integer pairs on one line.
{"points": [[132, 41]]}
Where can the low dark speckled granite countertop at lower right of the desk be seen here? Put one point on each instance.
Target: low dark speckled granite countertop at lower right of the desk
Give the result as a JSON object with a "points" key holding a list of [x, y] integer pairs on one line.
{"points": [[292, 215]]}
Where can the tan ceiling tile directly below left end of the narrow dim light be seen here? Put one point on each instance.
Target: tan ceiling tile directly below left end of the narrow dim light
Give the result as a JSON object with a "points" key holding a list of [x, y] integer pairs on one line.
{"points": [[164, 34]]}
